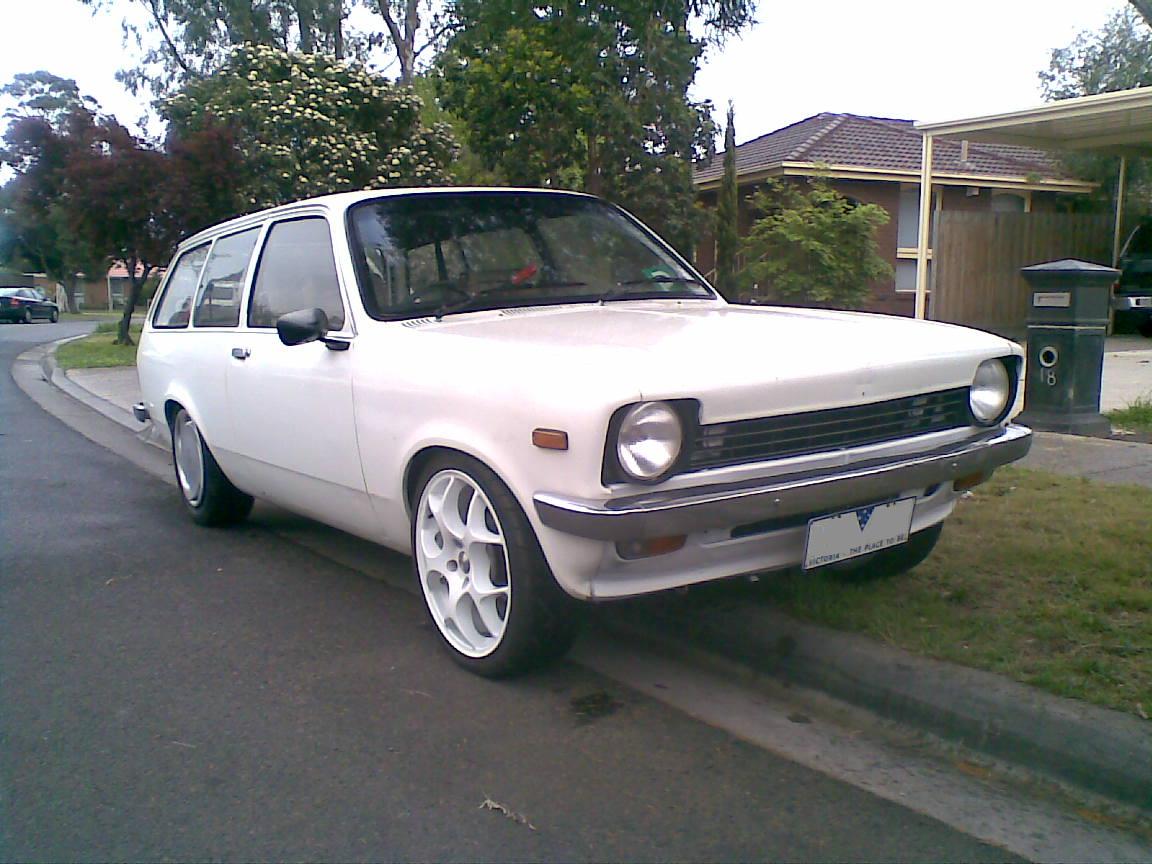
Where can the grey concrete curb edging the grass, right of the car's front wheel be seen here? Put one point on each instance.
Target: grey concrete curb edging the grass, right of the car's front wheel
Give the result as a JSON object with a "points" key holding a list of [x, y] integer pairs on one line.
{"points": [[1108, 753]]}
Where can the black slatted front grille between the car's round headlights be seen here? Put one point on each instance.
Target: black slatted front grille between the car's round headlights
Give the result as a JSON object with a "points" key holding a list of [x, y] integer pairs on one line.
{"points": [[732, 444]]}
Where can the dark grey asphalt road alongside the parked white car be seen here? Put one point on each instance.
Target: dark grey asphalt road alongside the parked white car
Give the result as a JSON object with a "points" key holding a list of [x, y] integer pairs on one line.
{"points": [[176, 693]]}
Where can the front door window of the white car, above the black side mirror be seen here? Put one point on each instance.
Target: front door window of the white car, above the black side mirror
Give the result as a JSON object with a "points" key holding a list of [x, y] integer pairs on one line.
{"points": [[297, 271]]}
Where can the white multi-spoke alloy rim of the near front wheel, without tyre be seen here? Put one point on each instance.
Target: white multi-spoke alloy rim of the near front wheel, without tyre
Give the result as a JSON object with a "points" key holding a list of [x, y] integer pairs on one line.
{"points": [[463, 562]]}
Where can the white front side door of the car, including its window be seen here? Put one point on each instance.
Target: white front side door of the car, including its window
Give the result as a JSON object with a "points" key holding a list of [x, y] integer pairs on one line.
{"points": [[292, 407]]}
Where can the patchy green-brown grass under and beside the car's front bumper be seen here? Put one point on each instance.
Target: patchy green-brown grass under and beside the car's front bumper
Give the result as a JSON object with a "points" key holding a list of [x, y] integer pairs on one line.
{"points": [[1047, 580]]}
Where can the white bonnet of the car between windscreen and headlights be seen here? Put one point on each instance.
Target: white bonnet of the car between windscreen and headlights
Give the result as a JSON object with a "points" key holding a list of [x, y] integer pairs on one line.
{"points": [[739, 361]]}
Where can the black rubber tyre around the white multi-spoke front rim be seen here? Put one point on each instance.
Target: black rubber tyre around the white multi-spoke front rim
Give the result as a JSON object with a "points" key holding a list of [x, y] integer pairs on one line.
{"points": [[542, 622]]}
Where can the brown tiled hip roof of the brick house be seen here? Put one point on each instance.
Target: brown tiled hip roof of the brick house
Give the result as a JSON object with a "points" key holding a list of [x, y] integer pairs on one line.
{"points": [[881, 143]]}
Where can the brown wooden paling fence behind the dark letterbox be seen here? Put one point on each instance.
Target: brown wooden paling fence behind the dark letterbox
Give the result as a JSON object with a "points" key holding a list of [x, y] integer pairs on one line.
{"points": [[977, 260]]}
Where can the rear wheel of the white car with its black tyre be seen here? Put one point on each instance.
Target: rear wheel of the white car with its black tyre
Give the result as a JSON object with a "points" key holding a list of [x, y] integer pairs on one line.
{"points": [[211, 501]]}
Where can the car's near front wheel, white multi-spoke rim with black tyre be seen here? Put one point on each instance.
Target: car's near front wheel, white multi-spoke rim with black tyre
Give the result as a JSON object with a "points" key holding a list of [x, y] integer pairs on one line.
{"points": [[487, 585]]}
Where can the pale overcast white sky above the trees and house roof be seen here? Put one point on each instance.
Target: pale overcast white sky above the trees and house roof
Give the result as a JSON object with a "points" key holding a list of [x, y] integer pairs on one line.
{"points": [[913, 59]]}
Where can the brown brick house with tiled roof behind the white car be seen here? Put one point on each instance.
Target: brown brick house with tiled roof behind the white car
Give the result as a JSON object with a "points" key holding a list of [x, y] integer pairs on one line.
{"points": [[877, 161]]}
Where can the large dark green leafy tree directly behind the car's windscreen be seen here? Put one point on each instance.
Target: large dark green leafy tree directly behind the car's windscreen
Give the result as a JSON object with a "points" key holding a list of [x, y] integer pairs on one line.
{"points": [[590, 96]]}
